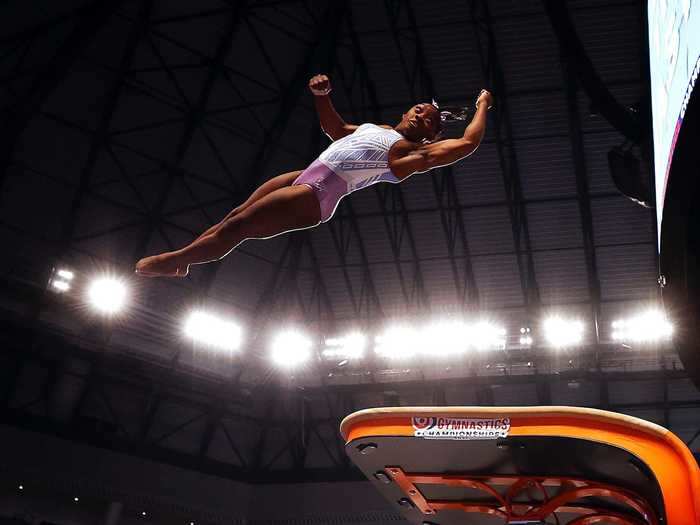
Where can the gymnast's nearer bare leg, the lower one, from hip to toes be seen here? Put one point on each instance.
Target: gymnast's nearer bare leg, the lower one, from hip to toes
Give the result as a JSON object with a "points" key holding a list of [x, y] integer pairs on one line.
{"points": [[282, 210]]}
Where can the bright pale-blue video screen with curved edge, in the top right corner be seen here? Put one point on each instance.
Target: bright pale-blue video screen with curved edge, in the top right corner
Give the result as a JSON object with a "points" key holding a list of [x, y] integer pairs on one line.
{"points": [[674, 59]]}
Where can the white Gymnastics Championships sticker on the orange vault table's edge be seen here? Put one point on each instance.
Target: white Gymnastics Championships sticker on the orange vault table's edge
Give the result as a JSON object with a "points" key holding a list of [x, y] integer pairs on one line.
{"points": [[460, 428]]}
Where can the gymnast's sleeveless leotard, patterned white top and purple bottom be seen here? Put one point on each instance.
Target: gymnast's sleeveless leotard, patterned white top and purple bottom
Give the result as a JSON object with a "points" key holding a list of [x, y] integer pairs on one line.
{"points": [[356, 161]]}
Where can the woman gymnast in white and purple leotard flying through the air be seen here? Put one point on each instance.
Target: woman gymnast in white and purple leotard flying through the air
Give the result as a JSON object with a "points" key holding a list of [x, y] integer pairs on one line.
{"points": [[359, 156]]}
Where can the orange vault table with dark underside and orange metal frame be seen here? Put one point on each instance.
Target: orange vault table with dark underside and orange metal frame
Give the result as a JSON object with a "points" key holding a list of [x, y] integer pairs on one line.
{"points": [[559, 465]]}
